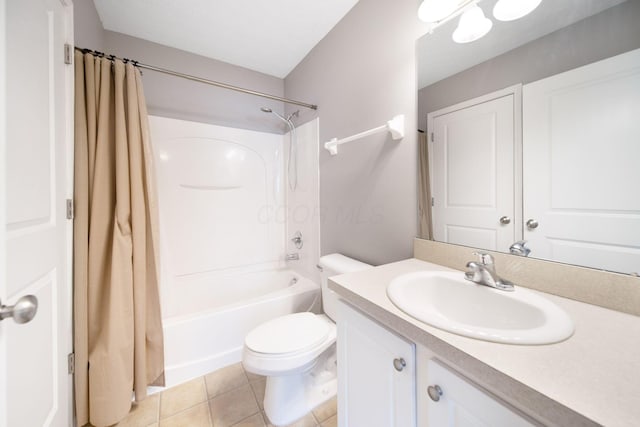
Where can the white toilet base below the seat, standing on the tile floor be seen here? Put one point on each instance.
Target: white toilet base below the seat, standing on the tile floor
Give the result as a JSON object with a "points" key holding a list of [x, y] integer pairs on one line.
{"points": [[290, 397]]}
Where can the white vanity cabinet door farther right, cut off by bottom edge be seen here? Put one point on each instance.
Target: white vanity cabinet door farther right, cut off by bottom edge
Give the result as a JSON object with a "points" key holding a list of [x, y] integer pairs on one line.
{"points": [[462, 404]]}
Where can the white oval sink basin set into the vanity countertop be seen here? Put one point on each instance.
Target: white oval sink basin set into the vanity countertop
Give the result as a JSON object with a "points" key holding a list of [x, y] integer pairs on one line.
{"points": [[447, 301]]}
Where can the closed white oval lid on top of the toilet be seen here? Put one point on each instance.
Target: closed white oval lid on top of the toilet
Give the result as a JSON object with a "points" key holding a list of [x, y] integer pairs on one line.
{"points": [[288, 334]]}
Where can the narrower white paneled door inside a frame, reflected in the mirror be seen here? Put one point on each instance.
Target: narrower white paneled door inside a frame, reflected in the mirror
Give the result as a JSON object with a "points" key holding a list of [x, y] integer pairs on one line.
{"points": [[473, 150]]}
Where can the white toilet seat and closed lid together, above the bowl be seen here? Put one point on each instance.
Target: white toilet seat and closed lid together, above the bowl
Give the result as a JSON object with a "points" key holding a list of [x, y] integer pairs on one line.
{"points": [[296, 348]]}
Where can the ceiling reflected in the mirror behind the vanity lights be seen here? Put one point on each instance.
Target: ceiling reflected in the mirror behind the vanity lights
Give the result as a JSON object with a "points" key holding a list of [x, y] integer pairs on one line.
{"points": [[439, 56]]}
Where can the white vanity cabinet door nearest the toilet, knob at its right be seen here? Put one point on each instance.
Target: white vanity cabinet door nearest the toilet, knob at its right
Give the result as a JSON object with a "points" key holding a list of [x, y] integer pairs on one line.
{"points": [[376, 374]]}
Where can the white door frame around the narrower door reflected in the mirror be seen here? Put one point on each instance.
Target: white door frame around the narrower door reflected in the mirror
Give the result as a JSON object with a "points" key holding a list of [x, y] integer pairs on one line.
{"points": [[516, 92]]}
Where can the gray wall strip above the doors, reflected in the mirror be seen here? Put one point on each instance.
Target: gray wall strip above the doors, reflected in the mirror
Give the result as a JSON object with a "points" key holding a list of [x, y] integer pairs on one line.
{"points": [[611, 32]]}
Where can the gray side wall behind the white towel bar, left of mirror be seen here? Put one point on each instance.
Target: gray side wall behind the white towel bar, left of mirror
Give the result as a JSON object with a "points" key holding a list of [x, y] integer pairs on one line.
{"points": [[361, 75]]}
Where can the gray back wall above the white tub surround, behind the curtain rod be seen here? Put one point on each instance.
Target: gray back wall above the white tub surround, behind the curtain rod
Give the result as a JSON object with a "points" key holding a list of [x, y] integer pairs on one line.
{"points": [[169, 96]]}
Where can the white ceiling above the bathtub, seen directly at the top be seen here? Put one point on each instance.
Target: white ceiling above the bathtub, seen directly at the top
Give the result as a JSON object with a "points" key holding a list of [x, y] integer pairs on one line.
{"points": [[271, 37]]}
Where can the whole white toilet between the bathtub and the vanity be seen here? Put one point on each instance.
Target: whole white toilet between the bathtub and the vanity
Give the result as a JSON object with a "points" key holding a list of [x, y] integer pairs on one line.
{"points": [[297, 352]]}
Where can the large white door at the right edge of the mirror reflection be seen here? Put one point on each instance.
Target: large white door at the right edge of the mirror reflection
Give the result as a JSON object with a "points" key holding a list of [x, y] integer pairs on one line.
{"points": [[581, 147]]}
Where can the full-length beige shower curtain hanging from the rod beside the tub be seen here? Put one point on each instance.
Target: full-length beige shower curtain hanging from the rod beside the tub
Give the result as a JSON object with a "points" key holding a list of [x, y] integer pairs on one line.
{"points": [[117, 325]]}
